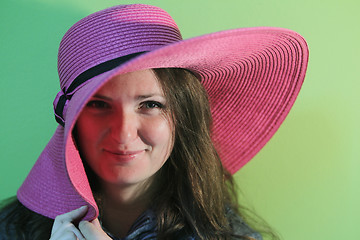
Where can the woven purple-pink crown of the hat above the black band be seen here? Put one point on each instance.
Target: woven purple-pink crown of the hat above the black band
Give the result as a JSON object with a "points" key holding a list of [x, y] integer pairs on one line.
{"points": [[113, 33]]}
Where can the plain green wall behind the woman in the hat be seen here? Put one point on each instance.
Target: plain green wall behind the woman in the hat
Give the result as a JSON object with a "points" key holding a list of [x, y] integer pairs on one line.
{"points": [[305, 182]]}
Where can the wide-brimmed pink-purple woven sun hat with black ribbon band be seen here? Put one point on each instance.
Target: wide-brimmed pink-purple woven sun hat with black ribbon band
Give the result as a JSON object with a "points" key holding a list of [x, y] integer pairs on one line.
{"points": [[252, 76]]}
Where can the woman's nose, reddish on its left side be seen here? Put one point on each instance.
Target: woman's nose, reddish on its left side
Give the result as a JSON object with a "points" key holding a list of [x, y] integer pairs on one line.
{"points": [[124, 127]]}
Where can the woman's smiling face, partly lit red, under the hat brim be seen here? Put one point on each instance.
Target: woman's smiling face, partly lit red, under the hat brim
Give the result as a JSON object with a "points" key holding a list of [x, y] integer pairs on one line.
{"points": [[124, 132]]}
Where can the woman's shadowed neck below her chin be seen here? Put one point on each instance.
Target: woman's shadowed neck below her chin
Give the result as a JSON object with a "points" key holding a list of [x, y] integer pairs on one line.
{"points": [[122, 205]]}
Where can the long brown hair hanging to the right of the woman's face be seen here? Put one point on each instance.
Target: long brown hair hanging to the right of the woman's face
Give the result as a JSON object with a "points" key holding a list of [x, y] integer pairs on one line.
{"points": [[195, 190]]}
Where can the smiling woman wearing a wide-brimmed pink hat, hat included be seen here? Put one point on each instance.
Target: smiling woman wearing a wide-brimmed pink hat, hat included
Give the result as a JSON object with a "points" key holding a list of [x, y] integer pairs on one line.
{"points": [[146, 123]]}
